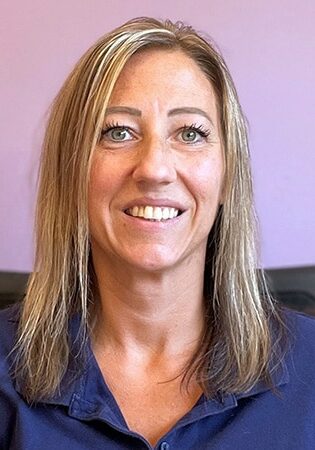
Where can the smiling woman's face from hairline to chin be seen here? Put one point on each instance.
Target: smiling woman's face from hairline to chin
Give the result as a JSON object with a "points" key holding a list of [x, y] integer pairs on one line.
{"points": [[157, 172]]}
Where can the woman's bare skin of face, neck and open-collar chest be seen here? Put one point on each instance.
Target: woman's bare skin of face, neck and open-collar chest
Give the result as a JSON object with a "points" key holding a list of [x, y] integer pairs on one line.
{"points": [[150, 274]]}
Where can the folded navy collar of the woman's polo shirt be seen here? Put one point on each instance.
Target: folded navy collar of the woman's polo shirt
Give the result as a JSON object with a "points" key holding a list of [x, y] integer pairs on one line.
{"points": [[87, 396]]}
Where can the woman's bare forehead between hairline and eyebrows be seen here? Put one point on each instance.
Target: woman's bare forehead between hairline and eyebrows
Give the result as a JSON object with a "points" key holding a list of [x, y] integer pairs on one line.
{"points": [[169, 77]]}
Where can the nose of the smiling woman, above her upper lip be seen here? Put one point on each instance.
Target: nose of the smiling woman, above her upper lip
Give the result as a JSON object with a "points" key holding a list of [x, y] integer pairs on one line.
{"points": [[155, 163]]}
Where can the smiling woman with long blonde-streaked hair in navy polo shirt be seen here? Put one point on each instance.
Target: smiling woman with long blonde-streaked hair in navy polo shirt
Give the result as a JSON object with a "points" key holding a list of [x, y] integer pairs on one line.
{"points": [[146, 323]]}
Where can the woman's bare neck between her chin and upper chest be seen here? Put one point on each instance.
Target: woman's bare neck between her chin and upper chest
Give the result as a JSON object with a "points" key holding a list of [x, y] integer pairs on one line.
{"points": [[149, 315]]}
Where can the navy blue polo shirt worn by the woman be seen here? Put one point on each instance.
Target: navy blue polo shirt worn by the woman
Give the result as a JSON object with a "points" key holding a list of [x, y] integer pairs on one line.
{"points": [[86, 416]]}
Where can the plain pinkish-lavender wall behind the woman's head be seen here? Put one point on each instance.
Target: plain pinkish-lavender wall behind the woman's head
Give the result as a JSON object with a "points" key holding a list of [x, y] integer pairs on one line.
{"points": [[270, 48]]}
